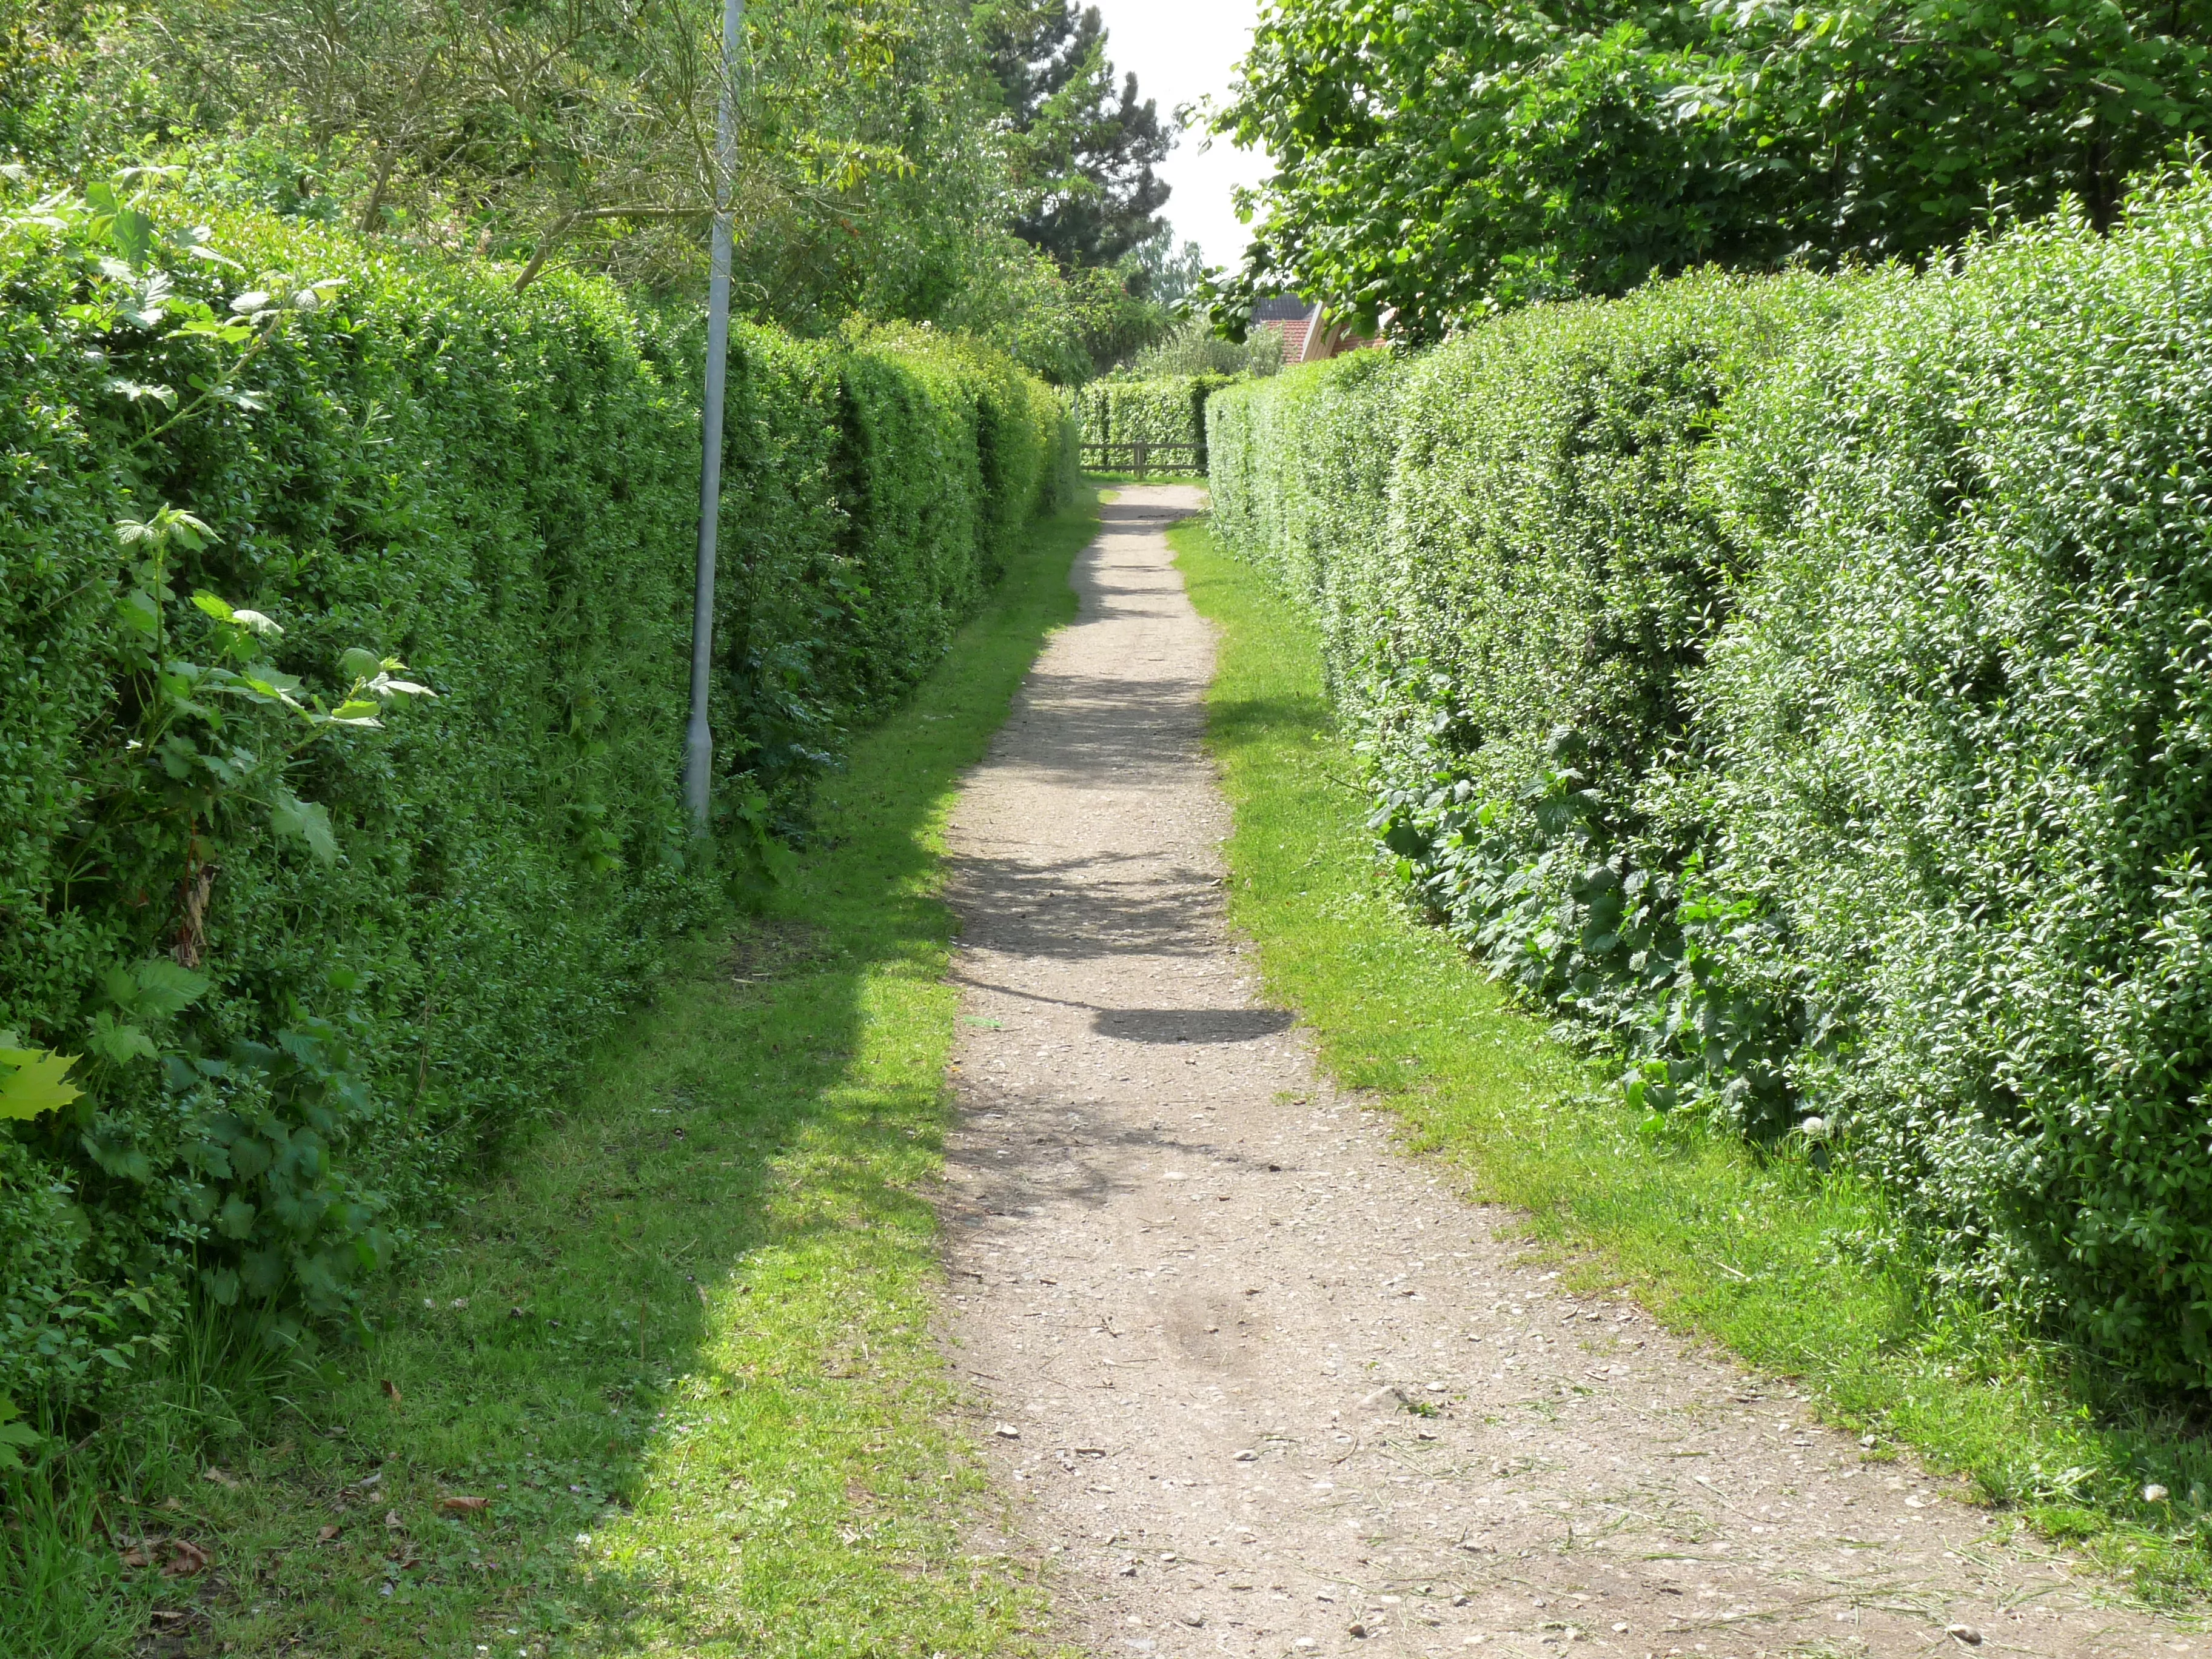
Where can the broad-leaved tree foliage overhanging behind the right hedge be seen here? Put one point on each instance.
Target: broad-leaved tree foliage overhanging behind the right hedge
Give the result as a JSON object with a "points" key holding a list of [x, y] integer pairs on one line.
{"points": [[1441, 160]]}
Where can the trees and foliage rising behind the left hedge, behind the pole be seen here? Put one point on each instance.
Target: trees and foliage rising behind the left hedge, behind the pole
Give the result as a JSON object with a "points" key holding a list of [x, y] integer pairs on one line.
{"points": [[875, 165]]}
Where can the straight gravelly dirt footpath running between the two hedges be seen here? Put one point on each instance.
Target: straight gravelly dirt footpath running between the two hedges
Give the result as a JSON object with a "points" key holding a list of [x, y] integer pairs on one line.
{"points": [[1260, 1386]]}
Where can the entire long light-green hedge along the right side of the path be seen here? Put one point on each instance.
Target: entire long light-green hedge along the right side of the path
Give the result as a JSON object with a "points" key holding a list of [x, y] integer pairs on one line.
{"points": [[1811, 685]]}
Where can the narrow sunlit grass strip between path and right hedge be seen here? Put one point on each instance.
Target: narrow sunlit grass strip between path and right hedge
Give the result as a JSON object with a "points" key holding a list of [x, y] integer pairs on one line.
{"points": [[1764, 1255]]}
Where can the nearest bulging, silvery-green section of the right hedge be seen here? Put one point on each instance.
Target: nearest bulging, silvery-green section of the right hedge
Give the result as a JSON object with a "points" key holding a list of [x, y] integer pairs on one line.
{"points": [[1959, 749]]}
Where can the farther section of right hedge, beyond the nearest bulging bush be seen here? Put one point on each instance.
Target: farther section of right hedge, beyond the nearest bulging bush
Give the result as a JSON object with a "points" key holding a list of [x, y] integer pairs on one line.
{"points": [[1512, 594]]}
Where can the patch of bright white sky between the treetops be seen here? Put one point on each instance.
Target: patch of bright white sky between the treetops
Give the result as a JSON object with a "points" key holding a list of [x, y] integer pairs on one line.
{"points": [[1182, 52]]}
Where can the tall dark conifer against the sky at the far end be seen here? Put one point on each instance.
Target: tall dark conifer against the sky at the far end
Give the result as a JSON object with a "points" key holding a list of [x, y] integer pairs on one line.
{"points": [[1087, 152]]}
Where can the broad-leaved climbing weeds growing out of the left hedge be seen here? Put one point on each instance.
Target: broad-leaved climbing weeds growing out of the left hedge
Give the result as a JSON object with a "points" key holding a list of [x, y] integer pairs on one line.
{"points": [[233, 1149]]}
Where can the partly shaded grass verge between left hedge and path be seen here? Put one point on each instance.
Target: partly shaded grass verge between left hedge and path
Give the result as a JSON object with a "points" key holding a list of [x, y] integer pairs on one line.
{"points": [[667, 1386]]}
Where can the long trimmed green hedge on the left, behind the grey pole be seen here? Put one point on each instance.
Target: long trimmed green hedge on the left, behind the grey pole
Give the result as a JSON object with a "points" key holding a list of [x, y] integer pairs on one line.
{"points": [[311, 966]]}
